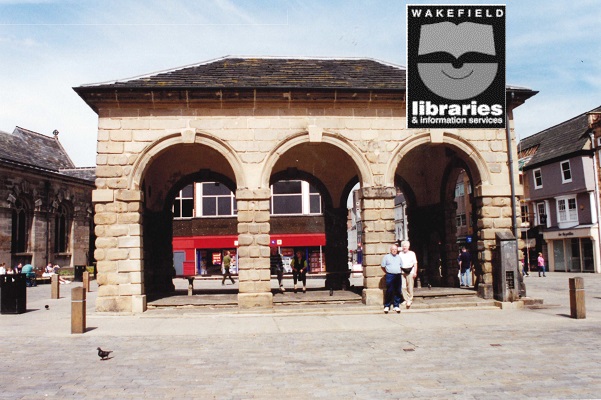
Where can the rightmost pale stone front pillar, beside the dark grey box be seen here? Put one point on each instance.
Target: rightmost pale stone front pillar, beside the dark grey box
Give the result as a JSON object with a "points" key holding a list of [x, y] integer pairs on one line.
{"points": [[494, 214]]}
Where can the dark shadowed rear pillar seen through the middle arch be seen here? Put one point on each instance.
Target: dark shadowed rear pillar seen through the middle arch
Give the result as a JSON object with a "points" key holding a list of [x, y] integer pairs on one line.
{"points": [[336, 251]]}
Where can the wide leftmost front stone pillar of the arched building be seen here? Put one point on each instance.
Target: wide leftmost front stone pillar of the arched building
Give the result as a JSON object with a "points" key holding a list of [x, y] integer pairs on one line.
{"points": [[118, 252]]}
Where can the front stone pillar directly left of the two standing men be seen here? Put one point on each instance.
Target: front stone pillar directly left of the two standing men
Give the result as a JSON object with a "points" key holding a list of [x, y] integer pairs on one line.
{"points": [[378, 235]]}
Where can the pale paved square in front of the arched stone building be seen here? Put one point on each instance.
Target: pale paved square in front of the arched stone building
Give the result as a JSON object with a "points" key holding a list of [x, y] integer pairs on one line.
{"points": [[338, 351]]}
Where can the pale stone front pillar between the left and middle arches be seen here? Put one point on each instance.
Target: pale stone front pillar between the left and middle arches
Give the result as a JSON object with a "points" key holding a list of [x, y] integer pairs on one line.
{"points": [[253, 248]]}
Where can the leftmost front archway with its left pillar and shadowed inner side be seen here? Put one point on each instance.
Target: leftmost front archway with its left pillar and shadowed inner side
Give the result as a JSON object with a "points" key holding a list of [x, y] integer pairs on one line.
{"points": [[134, 223]]}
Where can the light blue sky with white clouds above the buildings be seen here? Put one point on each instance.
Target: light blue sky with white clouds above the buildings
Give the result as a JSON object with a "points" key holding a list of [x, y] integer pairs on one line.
{"points": [[47, 47]]}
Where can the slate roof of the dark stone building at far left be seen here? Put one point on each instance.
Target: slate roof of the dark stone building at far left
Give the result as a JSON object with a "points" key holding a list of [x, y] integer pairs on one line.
{"points": [[31, 149]]}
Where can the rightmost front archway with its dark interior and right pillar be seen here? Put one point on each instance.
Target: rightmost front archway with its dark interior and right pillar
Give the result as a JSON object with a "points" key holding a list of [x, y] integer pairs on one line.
{"points": [[429, 163]]}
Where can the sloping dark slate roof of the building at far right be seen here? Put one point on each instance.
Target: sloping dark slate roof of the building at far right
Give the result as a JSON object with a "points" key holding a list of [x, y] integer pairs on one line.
{"points": [[559, 141]]}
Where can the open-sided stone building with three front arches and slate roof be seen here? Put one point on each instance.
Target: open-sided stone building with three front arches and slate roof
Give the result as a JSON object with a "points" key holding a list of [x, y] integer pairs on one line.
{"points": [[250, 121]]}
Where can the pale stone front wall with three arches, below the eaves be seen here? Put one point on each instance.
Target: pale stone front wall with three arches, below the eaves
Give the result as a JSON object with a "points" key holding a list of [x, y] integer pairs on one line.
{"points": [[247, 142]]}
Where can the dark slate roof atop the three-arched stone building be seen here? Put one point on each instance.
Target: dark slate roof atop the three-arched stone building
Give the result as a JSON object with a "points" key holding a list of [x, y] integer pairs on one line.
{"points": [[272, 72]]}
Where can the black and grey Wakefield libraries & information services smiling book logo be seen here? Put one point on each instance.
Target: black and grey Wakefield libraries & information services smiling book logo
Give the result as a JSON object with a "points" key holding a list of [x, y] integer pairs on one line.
{"points": [[455, 66]]}
